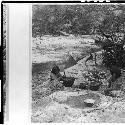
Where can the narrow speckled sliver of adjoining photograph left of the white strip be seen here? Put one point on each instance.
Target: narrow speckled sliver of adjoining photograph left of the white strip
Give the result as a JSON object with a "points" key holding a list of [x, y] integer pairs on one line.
{"points": [[5, 39]]}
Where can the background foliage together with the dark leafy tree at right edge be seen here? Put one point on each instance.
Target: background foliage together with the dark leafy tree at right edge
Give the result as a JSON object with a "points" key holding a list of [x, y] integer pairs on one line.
{"points": [[108, 21]]}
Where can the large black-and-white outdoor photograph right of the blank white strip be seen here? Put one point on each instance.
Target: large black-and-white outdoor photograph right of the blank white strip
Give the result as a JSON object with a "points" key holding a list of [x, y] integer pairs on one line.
{"points": [[78, 63]]}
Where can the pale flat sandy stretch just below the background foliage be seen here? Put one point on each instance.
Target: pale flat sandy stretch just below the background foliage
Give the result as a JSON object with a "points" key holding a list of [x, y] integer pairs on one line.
{"points": [[55, 48]]}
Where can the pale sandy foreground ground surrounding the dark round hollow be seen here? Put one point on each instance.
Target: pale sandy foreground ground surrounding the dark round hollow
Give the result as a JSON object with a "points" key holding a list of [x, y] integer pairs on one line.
{"points": [[50, 109]]}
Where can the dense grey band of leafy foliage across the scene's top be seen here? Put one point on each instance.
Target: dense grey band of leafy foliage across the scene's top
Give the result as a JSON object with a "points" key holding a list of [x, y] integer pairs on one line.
{"points": [[77, 19]]}
